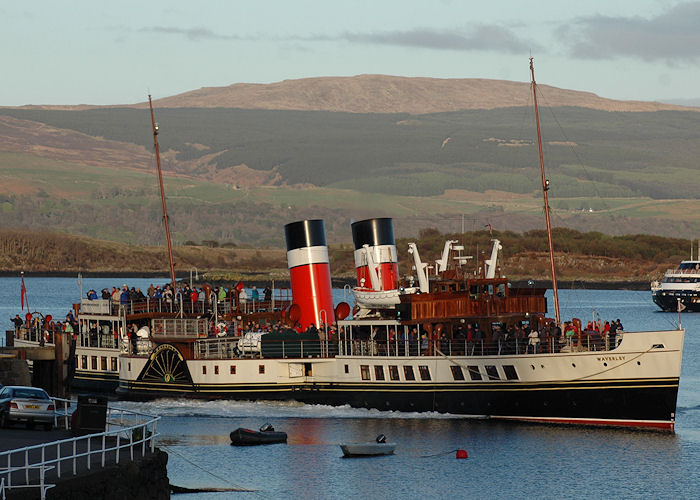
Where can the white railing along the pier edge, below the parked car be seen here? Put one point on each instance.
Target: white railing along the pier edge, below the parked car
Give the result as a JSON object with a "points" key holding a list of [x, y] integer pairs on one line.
{"points": [[127, 434]]}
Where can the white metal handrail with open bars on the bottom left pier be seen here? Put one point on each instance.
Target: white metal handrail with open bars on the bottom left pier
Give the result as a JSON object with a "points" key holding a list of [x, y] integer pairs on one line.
{"points": [[120, 425]]}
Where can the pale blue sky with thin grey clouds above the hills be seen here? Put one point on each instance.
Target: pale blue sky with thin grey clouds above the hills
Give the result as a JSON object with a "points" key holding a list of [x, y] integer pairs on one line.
{"points": [[96, 52]]}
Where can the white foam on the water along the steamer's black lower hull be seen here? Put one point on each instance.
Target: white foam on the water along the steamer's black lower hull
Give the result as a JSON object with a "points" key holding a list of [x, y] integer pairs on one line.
{"points": [[278, 409]]}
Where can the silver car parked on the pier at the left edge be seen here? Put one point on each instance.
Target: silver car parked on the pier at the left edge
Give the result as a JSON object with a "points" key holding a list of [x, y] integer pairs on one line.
{"points": [[26, 404]]}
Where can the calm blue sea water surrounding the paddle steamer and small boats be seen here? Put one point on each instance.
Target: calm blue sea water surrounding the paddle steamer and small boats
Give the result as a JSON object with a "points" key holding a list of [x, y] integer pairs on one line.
{"points": [[505, 460]]}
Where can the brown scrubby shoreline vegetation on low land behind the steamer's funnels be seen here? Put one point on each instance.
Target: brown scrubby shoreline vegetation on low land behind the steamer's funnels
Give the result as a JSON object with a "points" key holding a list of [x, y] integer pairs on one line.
{"points": [[583, 260]]}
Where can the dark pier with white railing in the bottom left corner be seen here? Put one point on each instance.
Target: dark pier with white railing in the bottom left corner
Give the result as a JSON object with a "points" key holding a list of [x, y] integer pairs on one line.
{"points": [[121, 462]]}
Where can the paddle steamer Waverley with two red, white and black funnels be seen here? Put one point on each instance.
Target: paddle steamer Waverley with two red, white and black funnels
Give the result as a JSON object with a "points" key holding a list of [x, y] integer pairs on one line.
{"points": [[449, 341]]}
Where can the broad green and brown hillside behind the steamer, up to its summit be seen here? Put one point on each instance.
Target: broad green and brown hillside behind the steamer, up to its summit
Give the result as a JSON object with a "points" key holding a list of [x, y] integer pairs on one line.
{"points": [[238, 175]]}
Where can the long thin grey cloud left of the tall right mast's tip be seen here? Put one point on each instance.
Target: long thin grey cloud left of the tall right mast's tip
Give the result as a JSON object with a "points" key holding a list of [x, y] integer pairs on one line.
{"points": [[482, 37]]}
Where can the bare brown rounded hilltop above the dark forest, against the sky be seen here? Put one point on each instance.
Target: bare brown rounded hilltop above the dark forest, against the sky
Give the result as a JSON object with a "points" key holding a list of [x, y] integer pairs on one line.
{"points": [[387, 94]]}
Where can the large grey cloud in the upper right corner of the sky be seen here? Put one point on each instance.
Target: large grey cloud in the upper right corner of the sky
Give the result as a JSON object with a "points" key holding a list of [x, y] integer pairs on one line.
{"points": [[672, 36]]}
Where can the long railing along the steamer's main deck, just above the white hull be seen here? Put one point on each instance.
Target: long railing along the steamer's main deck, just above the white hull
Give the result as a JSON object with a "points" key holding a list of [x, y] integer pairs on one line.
{"points": [[229, 347]]}
